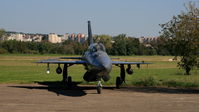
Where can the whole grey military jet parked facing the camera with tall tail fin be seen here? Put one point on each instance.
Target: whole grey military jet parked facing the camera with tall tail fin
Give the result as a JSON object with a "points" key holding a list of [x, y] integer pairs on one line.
{"points": [[97, 63]]}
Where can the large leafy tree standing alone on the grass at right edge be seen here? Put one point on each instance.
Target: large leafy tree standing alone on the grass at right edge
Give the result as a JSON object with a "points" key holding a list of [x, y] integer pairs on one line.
{"points": [[183, 31]]}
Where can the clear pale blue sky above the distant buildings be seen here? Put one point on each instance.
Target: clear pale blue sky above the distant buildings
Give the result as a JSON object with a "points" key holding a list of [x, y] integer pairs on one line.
{"points": [[132, 17]]}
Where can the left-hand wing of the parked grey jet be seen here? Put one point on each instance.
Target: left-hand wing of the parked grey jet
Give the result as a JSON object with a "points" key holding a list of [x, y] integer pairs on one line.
{"points": [[54, 61]]}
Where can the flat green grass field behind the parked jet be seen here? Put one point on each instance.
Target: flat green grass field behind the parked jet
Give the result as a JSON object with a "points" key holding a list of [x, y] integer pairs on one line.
{"points": [[21, 69]]}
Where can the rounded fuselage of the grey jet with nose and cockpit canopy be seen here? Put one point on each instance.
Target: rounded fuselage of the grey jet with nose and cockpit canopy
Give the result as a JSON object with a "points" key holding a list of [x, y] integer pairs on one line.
{"points": [[99, 63]]}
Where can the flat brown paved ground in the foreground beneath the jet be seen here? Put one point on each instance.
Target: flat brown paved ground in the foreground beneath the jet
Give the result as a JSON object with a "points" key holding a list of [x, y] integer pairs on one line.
{"points": [[45, 97]]}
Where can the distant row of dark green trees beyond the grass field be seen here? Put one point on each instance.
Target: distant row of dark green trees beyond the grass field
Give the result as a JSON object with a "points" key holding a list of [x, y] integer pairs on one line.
{"points": [[117, 45]]}
